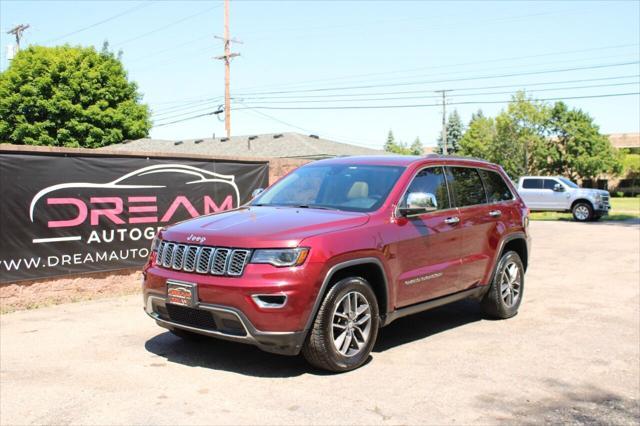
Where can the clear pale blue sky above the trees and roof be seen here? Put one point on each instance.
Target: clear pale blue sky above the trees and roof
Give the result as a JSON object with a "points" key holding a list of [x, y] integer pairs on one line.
{"points": [[302, 54]]}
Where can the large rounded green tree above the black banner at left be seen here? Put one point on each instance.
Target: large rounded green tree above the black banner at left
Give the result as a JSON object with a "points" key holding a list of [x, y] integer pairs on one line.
{"points": [[69, 96]]}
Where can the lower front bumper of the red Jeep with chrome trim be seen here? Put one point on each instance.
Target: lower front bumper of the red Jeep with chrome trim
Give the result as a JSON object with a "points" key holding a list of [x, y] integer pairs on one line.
{"points": [[221, 322]]}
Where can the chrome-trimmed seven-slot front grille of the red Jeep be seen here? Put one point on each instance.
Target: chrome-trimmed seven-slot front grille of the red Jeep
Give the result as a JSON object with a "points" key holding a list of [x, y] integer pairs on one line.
{"points": [[202, 259]]}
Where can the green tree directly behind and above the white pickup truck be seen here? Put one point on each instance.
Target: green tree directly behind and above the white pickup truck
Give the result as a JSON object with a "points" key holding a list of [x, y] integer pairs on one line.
{"points": [[576, 148]]}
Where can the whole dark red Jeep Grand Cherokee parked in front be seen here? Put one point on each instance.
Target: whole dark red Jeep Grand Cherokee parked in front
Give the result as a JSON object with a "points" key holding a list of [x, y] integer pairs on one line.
{"points": [[339, 248]]}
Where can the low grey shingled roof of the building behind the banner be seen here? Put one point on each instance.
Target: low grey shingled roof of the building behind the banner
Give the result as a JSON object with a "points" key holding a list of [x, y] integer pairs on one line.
{"points": [[278, 145]]}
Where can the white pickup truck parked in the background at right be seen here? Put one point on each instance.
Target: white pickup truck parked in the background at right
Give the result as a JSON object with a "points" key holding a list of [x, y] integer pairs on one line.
{"points": [[559, 194]]}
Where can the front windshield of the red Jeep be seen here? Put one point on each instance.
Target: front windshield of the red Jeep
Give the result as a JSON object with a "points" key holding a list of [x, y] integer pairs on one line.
{"points": [[359, 188]]}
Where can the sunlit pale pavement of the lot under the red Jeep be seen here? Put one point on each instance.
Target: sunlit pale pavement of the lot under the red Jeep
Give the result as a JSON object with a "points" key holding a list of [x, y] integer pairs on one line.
{"points": [[570, 355]]}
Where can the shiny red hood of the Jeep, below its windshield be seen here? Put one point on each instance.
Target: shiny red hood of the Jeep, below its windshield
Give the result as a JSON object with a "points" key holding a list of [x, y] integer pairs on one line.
{"points": [[260, 227]]}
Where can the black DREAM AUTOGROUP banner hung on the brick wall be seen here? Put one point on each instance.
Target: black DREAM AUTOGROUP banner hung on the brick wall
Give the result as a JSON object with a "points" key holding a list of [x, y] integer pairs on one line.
{"points": [[67, 213]]}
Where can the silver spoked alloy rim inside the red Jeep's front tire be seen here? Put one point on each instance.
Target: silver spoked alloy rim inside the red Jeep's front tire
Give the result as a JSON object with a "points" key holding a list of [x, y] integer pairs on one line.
{"points": [[351, 324]]}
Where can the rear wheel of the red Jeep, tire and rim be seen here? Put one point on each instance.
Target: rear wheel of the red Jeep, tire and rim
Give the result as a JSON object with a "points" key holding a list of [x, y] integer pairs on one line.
{"points": [[505, 293]]}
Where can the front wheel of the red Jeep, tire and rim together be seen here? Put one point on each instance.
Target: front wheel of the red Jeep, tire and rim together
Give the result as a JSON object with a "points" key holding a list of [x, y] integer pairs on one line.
{"points": [[345, 328]]}
